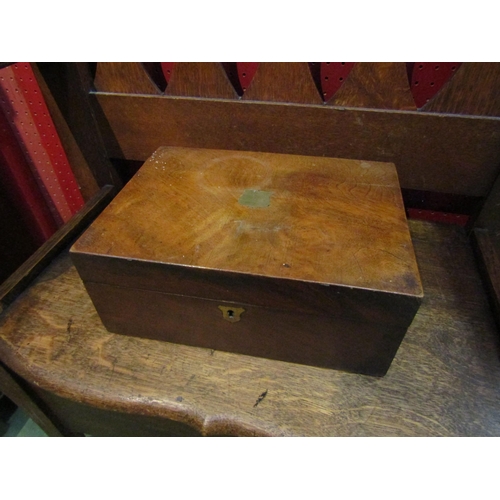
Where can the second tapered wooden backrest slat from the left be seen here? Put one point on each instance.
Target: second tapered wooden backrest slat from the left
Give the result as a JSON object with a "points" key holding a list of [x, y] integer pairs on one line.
{"points": [[206, 79]]}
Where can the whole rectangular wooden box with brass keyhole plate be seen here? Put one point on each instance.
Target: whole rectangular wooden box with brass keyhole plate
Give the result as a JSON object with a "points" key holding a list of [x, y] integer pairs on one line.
{"points": [[296, 258]]}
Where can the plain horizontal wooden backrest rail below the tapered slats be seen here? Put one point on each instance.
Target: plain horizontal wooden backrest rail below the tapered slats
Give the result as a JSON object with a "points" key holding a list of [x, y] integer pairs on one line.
{"points": [[432, 152]]}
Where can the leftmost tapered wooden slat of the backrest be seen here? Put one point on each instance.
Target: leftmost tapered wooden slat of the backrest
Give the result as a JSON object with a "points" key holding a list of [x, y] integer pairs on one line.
{"points": [[130, 78]]}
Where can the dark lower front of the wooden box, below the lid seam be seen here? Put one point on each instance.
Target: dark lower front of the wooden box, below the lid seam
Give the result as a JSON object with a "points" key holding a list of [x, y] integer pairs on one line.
{"points": [[317, 340]]}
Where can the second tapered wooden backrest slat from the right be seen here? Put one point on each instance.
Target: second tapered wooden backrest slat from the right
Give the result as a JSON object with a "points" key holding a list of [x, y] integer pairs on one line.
{"points": [[376, 85]]}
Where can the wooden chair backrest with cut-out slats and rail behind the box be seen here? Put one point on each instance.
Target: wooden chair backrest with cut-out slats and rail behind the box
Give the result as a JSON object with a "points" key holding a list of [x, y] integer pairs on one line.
{"points": [[451, 144]]}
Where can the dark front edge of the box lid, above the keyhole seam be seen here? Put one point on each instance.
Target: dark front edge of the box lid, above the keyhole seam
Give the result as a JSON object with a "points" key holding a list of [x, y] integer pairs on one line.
{"points": [[295, 296]]}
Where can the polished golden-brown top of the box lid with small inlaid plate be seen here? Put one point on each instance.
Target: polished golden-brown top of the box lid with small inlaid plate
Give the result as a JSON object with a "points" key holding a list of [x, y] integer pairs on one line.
{"points": [[324, 221]]}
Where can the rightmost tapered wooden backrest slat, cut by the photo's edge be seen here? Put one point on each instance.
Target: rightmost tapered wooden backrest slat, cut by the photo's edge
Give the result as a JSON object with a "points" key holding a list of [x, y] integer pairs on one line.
{"points": [[474, 90]]}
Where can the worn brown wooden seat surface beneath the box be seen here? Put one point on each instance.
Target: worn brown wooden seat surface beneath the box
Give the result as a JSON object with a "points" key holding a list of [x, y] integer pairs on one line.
{"points": [[445, 379]]}
